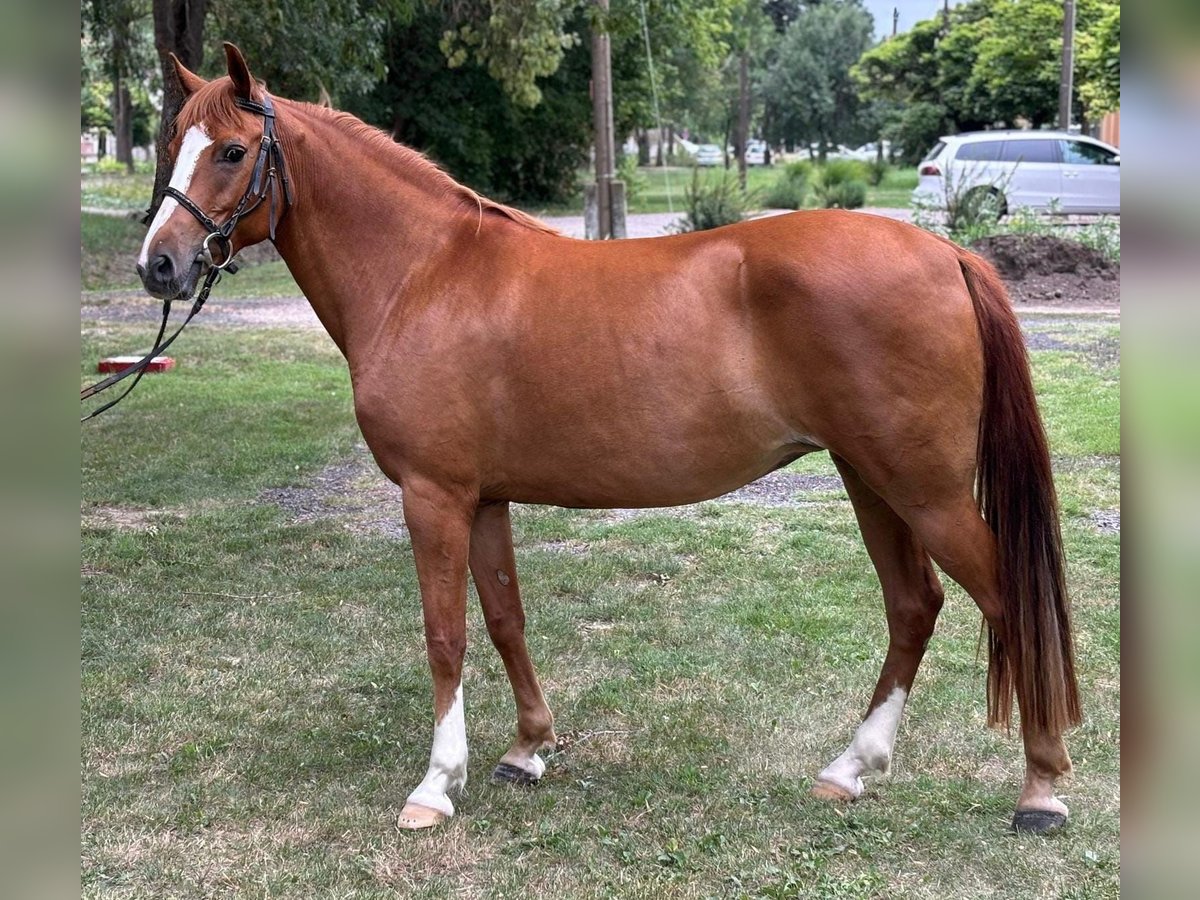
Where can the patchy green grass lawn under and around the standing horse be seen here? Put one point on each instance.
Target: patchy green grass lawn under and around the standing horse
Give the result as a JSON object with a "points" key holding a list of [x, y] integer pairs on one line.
{"points": [[256, 703]]}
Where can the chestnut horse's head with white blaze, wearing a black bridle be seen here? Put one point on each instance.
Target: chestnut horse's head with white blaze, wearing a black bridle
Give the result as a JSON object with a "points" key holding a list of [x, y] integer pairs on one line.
{"points": [[227, 173]]}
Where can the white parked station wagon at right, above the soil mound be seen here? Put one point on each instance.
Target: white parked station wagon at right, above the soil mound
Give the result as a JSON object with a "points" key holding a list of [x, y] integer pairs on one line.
{"points": [[1035, 170]]}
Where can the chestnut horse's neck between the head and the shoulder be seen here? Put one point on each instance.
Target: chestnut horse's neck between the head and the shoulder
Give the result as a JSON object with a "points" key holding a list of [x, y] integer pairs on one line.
{"points": [[365, 215]]}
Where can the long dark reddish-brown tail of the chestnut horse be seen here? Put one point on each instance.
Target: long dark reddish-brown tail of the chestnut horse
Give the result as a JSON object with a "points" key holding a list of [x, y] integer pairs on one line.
{"points": [[1017, 499]]}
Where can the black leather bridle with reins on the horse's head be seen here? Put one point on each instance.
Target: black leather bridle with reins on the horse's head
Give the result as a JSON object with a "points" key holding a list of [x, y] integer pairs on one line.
{"points": [[266, 182]]}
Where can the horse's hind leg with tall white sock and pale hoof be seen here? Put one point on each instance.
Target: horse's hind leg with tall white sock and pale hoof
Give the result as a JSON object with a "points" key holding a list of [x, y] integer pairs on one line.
{"points": [[913, 596]]}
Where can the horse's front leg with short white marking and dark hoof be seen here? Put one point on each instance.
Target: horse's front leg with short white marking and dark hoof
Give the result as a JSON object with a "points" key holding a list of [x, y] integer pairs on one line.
{"points": [[494, 568]]}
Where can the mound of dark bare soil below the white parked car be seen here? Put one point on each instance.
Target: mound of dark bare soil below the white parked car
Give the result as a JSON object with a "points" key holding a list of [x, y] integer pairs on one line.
{"points": [[1046, 271]]}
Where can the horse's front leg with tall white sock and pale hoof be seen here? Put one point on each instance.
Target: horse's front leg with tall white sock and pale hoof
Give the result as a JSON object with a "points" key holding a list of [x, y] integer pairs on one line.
{"points": [[440, 523]]}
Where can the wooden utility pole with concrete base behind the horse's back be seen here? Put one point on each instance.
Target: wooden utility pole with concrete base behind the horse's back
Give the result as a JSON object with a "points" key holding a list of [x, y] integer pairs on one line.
{"points": [[604, 215]]}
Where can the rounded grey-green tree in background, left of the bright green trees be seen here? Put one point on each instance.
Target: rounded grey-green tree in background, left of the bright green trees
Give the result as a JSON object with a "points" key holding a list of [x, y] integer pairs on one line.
{"points": [[811, 85]]}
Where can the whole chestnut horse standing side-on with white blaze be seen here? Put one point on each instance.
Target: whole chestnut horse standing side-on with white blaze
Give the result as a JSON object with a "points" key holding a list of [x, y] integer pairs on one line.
{"points": [[495, 361]]}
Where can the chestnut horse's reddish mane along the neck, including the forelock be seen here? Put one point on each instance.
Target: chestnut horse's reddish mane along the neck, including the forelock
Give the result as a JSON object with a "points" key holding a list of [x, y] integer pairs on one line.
{"points": [[215, 104]]}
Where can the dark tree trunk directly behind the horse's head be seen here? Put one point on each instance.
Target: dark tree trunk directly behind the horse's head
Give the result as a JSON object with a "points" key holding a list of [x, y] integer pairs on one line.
{"points": [[179, 29]]}
